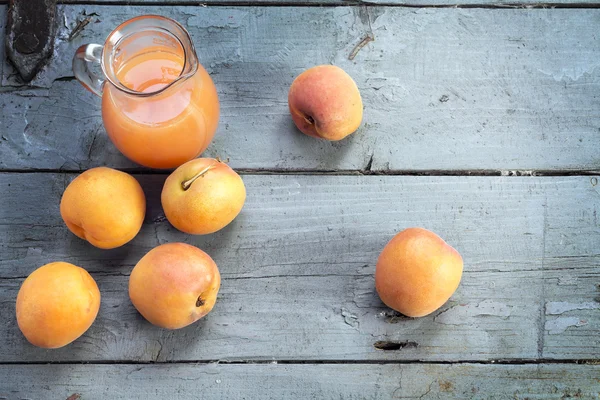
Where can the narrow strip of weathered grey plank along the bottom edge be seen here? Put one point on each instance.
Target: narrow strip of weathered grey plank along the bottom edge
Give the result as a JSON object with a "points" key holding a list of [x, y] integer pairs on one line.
{"points": [[264, 381]]}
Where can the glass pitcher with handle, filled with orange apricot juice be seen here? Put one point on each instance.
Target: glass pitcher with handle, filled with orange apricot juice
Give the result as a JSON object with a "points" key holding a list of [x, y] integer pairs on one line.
{"points": [[159, 106]]}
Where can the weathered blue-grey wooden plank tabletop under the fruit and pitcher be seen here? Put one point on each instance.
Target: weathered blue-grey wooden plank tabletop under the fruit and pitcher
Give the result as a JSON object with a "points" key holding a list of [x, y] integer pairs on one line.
{"points": [[482, 123]]}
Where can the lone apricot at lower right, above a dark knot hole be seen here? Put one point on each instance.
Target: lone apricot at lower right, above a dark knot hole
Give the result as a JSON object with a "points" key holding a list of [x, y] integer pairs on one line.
{"points": [[417, 272]]}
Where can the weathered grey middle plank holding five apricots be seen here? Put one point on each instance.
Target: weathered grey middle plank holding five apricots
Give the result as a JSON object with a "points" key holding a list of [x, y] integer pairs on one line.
{"points": [[298, 265]]}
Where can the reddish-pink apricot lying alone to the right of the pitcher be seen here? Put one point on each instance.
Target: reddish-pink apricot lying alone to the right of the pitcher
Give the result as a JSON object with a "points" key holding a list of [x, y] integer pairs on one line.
{"points": [[325, 103]]}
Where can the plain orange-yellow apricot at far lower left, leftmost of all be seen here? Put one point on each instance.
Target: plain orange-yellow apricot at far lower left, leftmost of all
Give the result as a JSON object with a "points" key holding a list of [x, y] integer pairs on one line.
{"points": [[56, 304]]}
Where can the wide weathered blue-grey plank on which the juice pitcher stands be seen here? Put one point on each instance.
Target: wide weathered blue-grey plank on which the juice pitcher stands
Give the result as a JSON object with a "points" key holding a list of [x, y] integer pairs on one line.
{"points": [[444, 89]]}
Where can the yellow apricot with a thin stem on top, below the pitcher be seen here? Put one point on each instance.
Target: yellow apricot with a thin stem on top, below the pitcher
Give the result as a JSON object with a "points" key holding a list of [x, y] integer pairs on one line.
{"points": [[203, 196]]}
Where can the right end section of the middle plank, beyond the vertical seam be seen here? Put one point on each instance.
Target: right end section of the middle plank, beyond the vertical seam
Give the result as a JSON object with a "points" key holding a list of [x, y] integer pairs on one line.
{"points": [[572, 275]]}
